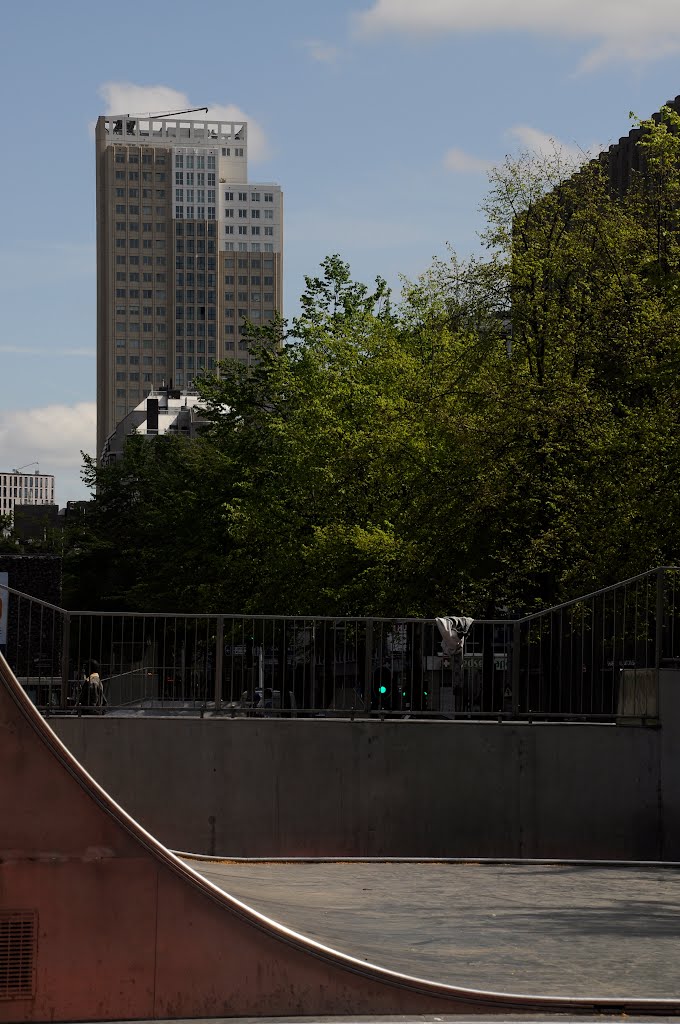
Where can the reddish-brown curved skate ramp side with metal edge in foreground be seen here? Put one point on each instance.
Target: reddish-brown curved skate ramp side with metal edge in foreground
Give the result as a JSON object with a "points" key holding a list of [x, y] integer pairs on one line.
{"points": [[100, 922]]}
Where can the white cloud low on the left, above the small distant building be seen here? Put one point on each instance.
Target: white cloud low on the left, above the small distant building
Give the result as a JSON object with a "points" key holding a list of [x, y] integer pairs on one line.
{"points": [[53, 436]]}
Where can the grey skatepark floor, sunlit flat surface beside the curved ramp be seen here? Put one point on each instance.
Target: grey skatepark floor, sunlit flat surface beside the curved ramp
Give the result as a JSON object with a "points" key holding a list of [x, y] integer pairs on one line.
{"points": [[539, 929]]}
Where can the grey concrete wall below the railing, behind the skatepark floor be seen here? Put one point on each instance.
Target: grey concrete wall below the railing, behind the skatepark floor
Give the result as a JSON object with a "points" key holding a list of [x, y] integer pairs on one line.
{"points": [[301, 788]]}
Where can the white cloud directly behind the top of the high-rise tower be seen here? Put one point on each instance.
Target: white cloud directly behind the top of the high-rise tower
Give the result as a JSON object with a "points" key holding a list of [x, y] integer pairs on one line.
{"points": [[126, 98]]}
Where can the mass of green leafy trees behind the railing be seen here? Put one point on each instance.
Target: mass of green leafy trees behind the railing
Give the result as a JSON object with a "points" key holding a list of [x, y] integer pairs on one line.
{"points": [[506, 435]]}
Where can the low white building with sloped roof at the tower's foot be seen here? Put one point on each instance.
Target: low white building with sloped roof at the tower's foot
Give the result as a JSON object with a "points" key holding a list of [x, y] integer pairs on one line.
{"points": [[164, 411]]}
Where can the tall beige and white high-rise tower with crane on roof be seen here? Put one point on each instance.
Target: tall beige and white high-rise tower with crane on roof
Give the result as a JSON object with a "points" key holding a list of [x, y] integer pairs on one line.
{"points": [[187, 250]]}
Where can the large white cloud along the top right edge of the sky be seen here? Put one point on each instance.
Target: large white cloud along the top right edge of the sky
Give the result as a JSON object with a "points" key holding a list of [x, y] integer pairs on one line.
{"points": [[622, 29]]}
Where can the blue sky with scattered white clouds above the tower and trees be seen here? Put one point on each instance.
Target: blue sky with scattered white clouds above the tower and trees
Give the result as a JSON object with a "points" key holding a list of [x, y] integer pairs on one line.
{"points": [[377, 117]]}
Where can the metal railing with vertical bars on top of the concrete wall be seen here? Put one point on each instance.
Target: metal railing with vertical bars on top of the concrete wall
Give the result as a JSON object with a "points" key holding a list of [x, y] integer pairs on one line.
{"points": [[593, 659]]}
